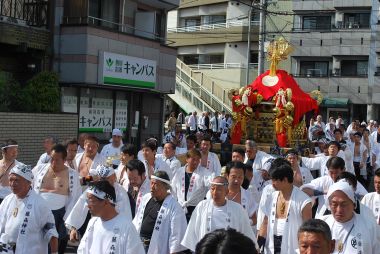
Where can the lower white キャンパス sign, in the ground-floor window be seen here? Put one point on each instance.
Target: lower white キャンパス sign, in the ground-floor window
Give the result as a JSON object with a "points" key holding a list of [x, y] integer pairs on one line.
{"points": [[98, 117]]}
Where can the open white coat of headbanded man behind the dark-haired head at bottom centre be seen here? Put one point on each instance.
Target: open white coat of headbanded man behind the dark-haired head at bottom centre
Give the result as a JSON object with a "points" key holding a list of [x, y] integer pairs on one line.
{"points": [[201, 222]]}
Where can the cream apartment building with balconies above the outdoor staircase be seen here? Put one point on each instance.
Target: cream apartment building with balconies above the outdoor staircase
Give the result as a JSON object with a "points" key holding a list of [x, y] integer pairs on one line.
{"points": [[211, 36]]}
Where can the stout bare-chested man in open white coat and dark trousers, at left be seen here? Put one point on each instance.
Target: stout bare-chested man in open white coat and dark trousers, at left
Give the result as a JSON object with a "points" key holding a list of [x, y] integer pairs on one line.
{"points": [[59, 186]]}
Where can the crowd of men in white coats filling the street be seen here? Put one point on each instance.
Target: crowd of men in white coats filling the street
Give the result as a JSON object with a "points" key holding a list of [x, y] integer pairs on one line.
{"points": [[175, 197]]}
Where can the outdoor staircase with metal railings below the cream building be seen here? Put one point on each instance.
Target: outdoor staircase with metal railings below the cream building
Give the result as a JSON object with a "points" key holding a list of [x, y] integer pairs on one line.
{"points": [[195, 91]]}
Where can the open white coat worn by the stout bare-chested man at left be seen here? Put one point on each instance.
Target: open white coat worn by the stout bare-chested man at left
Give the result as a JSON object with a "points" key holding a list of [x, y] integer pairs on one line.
{"points": [[75, 189]]}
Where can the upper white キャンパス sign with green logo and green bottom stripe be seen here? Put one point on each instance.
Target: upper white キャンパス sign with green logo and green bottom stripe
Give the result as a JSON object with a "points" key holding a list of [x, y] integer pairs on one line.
{"points": [[122, 70]]}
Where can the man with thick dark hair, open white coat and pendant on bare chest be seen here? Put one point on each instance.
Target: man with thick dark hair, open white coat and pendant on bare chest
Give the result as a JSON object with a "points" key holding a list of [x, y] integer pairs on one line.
{"points": [[286, 209]]}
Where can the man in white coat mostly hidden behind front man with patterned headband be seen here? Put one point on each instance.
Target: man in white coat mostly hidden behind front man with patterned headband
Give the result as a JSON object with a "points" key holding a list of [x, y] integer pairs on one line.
{"points": [[78, 214]]}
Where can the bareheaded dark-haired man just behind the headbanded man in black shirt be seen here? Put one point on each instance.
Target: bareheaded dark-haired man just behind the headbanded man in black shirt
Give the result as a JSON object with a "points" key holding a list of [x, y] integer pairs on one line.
{"points": [[152, 162]]}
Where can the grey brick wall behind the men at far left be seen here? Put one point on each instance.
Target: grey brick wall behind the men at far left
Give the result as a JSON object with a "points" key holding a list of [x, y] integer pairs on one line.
{"points": [[29, 130]]}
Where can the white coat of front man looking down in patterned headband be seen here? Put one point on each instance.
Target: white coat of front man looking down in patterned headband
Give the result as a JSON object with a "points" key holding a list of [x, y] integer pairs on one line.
{"points": [[117, 236]]}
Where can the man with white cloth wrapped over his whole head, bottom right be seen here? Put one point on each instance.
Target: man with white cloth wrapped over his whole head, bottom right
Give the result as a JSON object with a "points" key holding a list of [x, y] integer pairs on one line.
{"points": [[351, 232]]}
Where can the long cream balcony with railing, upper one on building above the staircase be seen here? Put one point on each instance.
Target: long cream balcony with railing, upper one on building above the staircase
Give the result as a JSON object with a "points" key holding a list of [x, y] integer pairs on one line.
{"points": [[231, 31]]}
